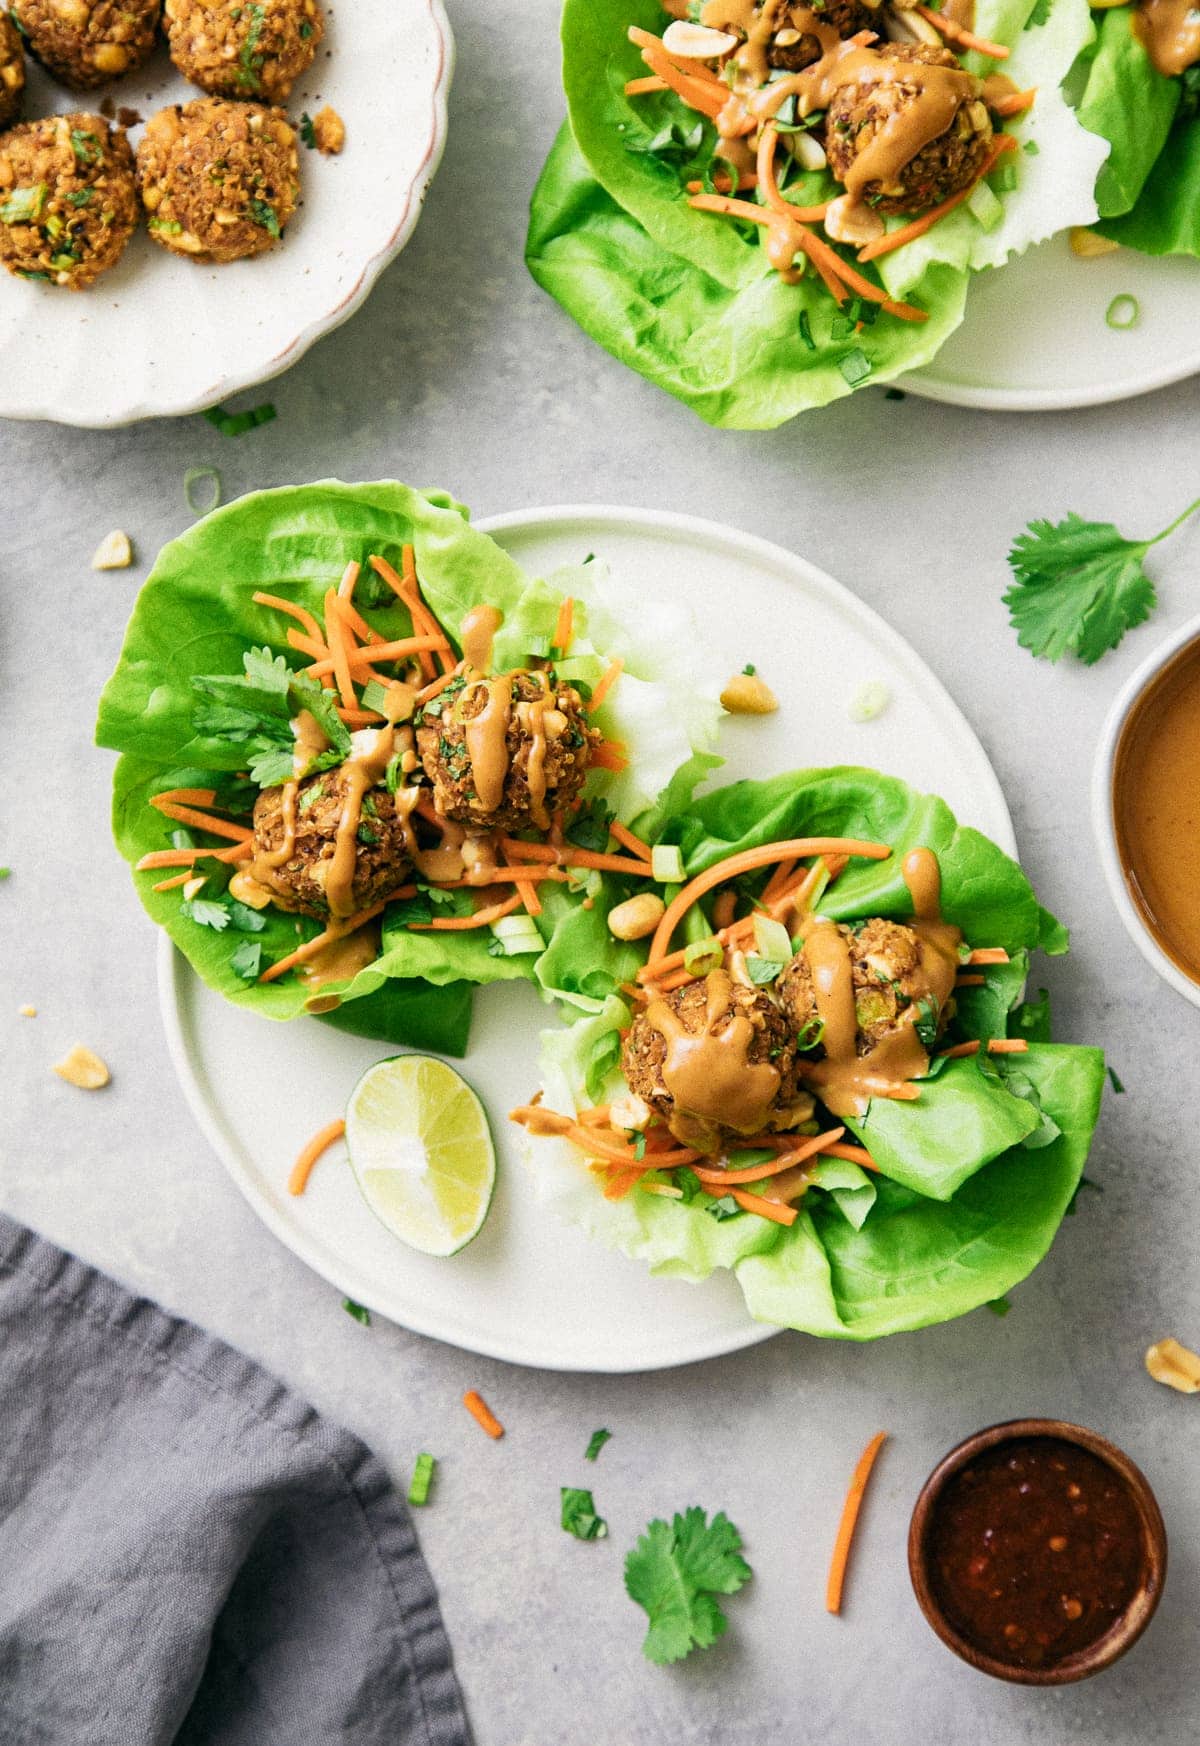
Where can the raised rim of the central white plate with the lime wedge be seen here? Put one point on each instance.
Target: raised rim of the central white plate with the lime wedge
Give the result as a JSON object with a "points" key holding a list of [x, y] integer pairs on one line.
{"points": [[172, 966]]}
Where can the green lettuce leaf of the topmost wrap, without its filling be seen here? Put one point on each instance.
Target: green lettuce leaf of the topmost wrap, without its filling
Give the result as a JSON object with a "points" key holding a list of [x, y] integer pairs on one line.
{"points": [[691, 301]]}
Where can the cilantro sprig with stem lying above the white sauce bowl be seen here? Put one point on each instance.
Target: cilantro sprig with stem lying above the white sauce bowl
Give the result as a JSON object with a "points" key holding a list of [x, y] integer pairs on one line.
{"points": [[1080, 586]]}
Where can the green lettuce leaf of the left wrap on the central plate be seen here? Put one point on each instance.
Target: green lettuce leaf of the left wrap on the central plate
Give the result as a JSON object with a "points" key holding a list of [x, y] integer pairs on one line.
{"points": [[197, 621]]}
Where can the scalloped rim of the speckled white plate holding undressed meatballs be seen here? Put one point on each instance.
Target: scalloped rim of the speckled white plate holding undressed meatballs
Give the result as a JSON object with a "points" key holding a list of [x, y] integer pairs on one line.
{"points": [[254, 376]]}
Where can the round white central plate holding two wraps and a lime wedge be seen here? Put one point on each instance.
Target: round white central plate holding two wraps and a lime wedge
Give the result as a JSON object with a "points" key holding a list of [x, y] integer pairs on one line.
{"points": [[523, 1291]]}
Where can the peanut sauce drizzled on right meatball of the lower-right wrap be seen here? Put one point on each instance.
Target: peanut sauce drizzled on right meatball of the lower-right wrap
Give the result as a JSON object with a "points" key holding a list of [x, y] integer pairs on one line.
{"points": [[848, 1080]]}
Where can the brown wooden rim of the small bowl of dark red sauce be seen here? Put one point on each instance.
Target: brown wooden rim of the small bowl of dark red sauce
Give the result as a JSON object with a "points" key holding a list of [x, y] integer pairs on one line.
{"points": [[1122, 1635]]}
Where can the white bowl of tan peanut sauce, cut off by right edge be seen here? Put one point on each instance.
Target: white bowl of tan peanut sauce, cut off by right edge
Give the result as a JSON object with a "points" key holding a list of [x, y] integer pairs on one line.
{"points": [[1147, 809]]}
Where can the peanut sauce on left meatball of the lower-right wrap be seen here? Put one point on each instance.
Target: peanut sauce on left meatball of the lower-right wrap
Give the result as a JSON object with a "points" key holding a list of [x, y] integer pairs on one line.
{"points": [[710, 1075]]}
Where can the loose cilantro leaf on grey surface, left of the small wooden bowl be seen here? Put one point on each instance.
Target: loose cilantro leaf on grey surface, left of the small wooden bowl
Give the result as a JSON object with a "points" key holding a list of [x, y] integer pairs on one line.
{"points": [[675, 1572]]}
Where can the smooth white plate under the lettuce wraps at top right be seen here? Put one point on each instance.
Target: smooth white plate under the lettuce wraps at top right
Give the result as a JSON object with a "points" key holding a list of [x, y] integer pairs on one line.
{"points": [[1035, 338]]}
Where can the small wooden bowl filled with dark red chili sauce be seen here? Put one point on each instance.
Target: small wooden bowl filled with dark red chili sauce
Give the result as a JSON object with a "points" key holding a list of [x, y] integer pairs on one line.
{"points": [[1038, 1553]]}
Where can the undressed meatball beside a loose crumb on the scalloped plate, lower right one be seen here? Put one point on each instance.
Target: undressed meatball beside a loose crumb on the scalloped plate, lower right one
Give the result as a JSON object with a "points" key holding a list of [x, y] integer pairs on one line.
{"points": [[219, 181]]}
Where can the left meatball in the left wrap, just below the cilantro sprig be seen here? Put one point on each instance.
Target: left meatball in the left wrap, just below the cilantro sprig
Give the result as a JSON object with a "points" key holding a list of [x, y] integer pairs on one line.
{"points": [[382, 862]]}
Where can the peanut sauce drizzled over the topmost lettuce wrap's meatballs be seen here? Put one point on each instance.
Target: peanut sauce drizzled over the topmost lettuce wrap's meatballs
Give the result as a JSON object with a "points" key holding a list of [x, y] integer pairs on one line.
{"points": [[939, 93]]}
